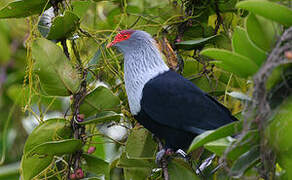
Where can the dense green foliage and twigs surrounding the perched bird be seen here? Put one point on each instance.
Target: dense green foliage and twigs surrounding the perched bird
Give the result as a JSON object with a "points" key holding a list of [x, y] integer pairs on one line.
{"points": [[64, 110]]}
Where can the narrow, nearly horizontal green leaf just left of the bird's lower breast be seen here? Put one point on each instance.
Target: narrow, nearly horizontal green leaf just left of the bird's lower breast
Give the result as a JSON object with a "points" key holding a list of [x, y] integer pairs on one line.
{"points": [[102, 117]]}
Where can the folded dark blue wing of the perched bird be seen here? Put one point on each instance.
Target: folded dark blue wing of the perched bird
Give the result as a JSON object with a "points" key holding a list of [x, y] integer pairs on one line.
{"points": [[172, 100]]}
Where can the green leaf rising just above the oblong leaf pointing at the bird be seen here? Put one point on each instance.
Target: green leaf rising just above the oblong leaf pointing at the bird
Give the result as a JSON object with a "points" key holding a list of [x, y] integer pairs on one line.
{"points": [[242, 45]]}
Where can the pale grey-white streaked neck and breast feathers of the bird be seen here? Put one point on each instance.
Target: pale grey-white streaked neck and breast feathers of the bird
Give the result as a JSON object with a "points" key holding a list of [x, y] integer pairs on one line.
{"points": [[141, 65]]}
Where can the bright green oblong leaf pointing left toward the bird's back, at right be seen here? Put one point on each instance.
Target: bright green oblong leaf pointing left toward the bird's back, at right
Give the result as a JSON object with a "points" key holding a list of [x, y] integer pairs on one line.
{"points": [[232, 62]]}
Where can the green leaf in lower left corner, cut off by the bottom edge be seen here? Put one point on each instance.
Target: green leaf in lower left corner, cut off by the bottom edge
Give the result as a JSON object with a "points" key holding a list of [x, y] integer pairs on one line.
{"points": [[33, 166]]}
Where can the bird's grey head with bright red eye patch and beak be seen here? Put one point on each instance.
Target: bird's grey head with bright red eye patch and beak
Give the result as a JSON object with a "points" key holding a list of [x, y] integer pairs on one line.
{"points": [[129, 40]]}
